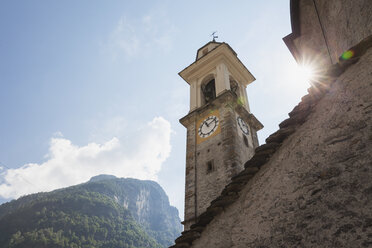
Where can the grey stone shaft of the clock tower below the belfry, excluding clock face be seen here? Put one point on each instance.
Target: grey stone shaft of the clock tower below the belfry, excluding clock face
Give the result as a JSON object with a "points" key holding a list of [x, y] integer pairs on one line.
{"points": [[226, 150]]}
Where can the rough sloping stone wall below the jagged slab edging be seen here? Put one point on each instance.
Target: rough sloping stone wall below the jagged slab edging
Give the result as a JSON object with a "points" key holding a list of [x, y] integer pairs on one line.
{"points": [[316, 190]]}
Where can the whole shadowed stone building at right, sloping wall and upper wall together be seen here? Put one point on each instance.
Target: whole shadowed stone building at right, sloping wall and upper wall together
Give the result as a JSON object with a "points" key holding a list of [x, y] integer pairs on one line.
{"points": [[310, 184]]}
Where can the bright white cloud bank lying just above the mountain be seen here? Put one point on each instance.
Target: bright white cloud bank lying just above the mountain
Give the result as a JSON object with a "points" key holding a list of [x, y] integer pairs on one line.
{"points": [[68, 164]]}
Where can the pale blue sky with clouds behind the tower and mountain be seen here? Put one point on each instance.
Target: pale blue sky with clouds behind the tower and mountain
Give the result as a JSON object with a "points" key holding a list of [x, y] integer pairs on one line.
{"points": [[92, 87]]}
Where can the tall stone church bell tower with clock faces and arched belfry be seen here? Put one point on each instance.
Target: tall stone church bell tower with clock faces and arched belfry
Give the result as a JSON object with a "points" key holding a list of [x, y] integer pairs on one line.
{"points": [[221, 130]]}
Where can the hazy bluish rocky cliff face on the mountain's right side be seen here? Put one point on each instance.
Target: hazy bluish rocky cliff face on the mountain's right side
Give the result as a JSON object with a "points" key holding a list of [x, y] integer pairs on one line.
{"points": [[146, 201]]}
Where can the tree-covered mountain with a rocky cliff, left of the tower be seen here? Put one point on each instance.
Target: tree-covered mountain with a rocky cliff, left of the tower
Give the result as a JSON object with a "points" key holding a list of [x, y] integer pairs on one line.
{"points": [[104, 212]]}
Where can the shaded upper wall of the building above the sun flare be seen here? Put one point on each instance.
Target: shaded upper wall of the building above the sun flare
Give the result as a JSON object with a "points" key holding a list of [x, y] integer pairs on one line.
{"points": [[345, 23]]}
